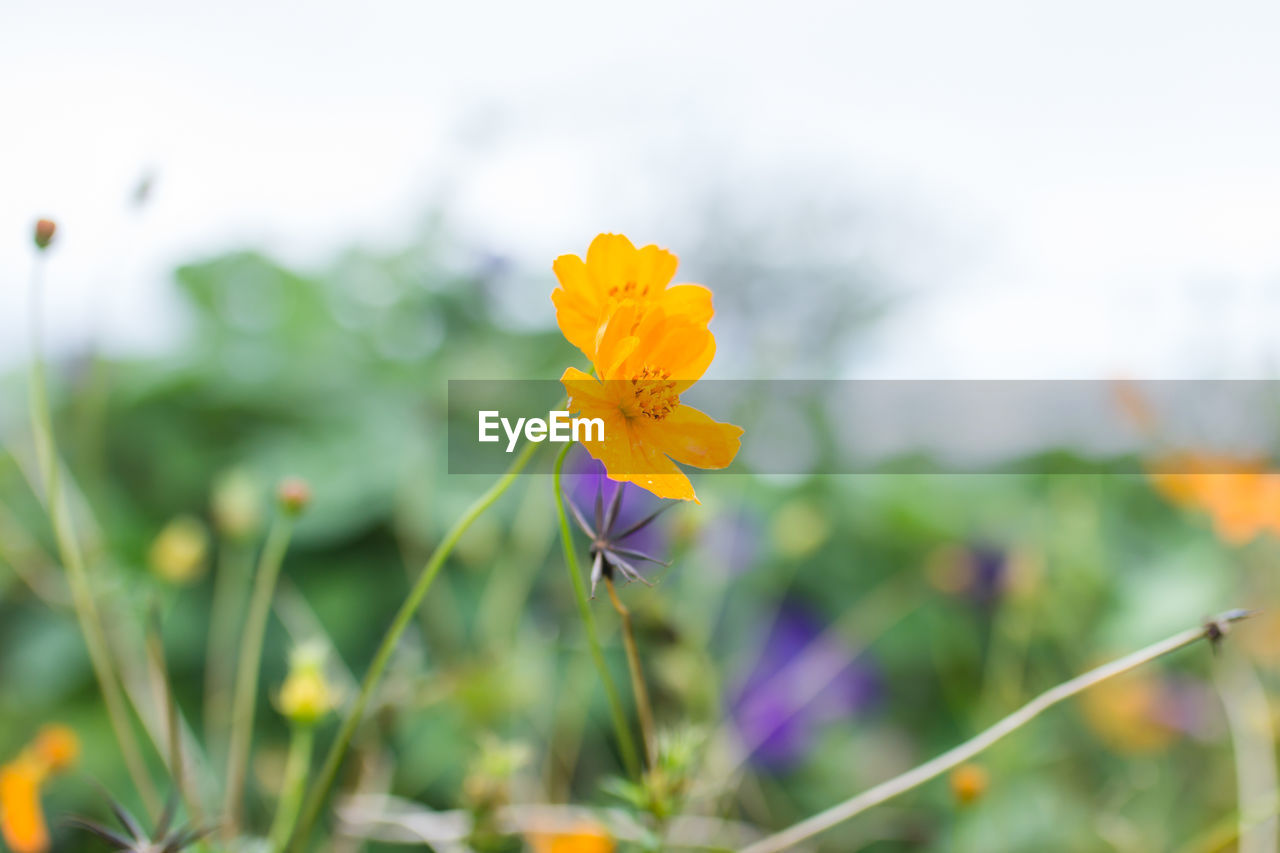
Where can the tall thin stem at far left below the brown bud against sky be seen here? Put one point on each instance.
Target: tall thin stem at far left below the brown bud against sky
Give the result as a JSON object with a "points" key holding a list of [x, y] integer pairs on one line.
{"points": [[74, 560]]}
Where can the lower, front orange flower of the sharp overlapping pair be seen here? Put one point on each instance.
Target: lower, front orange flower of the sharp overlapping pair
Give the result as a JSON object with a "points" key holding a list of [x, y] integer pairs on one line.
{"points": [[646, 362]]}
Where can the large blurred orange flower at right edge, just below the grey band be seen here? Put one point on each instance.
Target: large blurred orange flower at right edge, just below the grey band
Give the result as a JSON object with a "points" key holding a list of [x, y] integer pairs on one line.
{"points": [[1241, 496]]}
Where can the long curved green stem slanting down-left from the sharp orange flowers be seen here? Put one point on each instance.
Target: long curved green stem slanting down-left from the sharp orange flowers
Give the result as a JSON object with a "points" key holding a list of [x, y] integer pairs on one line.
{"points": [[319, 792]]}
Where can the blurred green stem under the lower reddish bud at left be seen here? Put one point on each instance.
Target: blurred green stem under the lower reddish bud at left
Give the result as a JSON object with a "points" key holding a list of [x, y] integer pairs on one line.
{"points": [[246, 672]]}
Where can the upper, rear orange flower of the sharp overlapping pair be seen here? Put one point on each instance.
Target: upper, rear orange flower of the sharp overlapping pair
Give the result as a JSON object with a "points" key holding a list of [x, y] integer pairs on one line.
{"points": [[619, 276]]}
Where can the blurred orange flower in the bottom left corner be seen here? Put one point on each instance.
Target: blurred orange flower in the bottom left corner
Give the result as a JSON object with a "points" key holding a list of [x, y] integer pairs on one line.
{"points": [[22, 820]]}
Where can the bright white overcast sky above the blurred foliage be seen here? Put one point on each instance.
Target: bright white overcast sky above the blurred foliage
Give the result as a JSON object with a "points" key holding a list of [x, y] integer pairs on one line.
{"points": [[1113, 170]]}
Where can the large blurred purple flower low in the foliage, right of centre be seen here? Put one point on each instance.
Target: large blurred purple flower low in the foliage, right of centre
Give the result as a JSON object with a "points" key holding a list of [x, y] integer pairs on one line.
{"points": [[803, 681]]}
